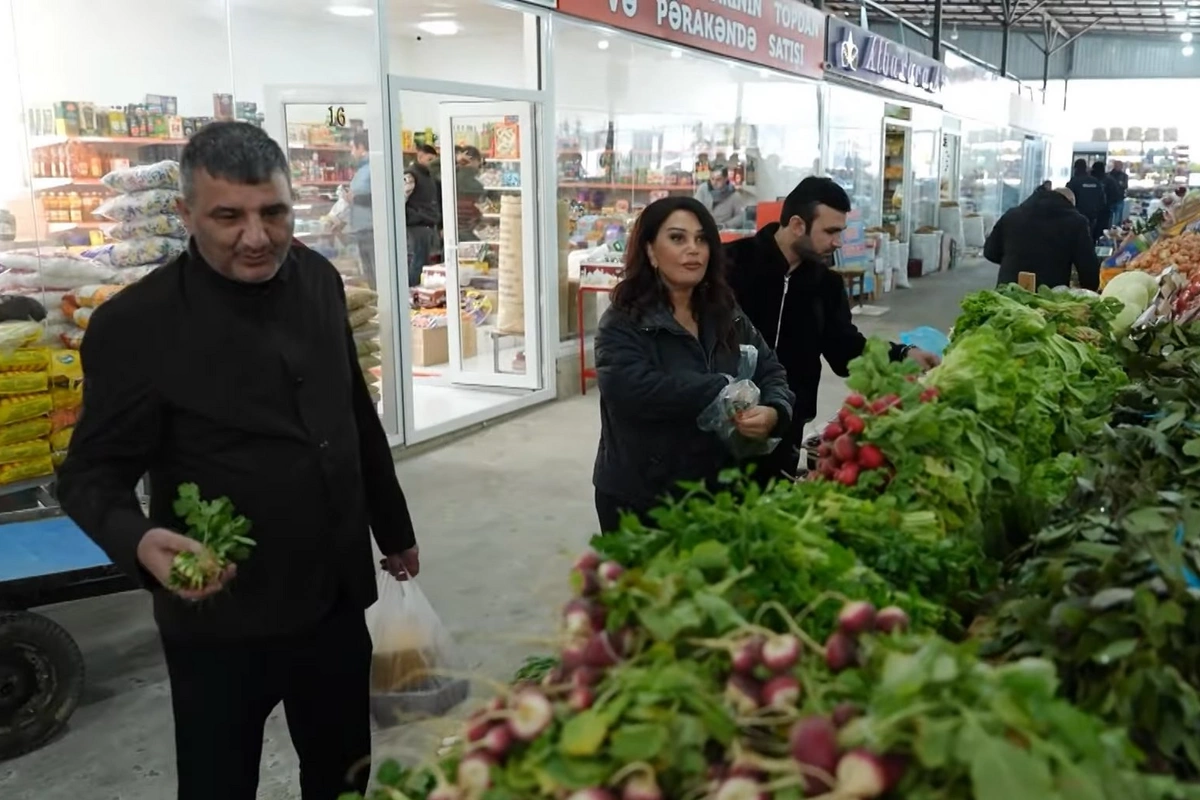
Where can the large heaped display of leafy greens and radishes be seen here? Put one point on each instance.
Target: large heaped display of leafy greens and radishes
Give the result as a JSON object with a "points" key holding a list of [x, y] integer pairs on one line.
{"points": [[986, 592]]}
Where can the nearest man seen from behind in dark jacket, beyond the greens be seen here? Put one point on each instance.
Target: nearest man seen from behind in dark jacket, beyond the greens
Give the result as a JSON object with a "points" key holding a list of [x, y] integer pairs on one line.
{"points": [[1045, 236]]}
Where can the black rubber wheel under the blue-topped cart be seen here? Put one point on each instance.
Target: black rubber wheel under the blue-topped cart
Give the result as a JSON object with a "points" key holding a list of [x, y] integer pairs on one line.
{"points": [[41, 681]]}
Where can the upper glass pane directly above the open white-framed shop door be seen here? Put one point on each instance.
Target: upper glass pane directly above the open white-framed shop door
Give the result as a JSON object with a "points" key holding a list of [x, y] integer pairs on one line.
{"points": [[464, 41]]}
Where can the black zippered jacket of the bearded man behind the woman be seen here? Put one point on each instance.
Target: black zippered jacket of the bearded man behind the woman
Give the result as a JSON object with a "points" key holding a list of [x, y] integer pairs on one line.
{"points": [[805, 315]]}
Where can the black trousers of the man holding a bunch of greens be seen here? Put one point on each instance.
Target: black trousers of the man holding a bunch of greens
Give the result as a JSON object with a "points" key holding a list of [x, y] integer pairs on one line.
{"points": [[223, 695]]}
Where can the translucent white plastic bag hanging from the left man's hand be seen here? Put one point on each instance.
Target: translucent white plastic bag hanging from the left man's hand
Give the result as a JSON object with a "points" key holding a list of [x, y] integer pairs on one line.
{"points": [[411, 655]]}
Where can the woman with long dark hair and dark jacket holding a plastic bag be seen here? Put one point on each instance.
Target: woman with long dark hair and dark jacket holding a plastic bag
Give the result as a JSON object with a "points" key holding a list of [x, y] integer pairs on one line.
{"points": [[667, 348]]}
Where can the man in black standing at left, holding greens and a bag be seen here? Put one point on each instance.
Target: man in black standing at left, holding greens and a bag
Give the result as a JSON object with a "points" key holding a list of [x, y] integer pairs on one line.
{"points": [[233, 368]]}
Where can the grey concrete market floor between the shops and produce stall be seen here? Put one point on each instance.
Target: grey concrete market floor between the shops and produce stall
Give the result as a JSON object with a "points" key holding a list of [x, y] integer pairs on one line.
{"points": [[501, 515]]}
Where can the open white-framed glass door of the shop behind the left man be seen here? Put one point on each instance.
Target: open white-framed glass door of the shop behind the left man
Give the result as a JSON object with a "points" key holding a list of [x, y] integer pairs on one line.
{"points": [[491, 243]]}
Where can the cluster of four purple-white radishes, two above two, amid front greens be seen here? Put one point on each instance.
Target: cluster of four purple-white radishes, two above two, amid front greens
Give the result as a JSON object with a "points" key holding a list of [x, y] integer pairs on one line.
{"points": [[761, 673]]}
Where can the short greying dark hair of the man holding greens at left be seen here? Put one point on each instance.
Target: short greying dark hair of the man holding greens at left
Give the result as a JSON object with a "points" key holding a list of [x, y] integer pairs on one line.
{"points": [[239, 153]]}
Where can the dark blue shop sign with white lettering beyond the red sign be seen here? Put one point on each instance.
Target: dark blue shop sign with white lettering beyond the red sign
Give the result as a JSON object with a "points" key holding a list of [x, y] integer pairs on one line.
{"points": [[857, 53]]}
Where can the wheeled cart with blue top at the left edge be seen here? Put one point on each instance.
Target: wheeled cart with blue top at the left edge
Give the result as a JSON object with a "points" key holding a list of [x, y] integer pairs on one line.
{"points": [[44, 560]]}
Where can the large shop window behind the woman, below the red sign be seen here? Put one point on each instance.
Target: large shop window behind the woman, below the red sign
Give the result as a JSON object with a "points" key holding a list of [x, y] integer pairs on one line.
{"points": [[733, 135]]}
